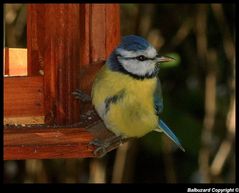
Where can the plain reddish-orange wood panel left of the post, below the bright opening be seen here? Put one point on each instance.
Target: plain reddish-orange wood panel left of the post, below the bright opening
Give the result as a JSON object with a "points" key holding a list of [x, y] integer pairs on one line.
{"points": [[23, 96]]}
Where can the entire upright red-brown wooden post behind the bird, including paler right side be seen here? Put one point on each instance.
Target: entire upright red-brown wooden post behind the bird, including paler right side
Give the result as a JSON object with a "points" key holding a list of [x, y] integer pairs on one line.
{"points": [[69, 41]]}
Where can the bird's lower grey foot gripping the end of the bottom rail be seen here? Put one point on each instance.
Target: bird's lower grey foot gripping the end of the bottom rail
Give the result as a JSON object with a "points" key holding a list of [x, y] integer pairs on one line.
{"points": [[103, 147]]}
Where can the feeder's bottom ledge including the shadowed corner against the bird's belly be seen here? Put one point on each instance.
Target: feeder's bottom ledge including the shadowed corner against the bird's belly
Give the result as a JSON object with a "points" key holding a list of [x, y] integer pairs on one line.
{"points": [[48, 142]]}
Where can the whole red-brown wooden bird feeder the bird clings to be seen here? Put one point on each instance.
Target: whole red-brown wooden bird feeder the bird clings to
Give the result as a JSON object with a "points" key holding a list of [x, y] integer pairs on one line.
{"points": [[66, 46]]}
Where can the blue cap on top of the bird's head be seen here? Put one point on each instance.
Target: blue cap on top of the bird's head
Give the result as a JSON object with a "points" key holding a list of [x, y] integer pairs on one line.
{"points": [[133, 43]]}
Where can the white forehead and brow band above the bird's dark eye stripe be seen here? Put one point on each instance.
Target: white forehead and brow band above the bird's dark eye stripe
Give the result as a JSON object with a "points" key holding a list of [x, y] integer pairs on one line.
{"points": [[150, 52]]}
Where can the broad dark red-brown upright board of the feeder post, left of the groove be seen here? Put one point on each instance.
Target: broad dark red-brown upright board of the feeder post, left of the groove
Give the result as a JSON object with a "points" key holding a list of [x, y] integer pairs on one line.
{"points": [[55, 42]]}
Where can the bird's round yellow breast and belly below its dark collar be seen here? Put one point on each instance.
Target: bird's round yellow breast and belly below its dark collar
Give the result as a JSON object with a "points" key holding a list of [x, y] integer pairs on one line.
{"points": [[134, 115]]}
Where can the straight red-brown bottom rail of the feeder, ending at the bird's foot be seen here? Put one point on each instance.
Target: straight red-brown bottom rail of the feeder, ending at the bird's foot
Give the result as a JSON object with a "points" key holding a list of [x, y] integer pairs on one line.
{"points": [[33, 143]]}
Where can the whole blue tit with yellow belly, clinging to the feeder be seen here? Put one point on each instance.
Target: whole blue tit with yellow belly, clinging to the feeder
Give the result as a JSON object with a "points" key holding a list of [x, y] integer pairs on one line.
{"points": [[126, 92]]}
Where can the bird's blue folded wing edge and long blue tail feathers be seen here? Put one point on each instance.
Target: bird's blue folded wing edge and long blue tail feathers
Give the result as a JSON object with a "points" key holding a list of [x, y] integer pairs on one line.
{"points": [[158, 104]]}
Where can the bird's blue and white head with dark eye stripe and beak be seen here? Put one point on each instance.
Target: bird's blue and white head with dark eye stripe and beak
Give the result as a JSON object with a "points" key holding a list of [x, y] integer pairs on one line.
{"points": [[137, 57]]}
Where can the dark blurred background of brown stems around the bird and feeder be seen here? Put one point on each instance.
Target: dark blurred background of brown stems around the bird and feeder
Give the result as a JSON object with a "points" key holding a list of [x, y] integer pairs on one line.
{"points": [[199, 101]]}
